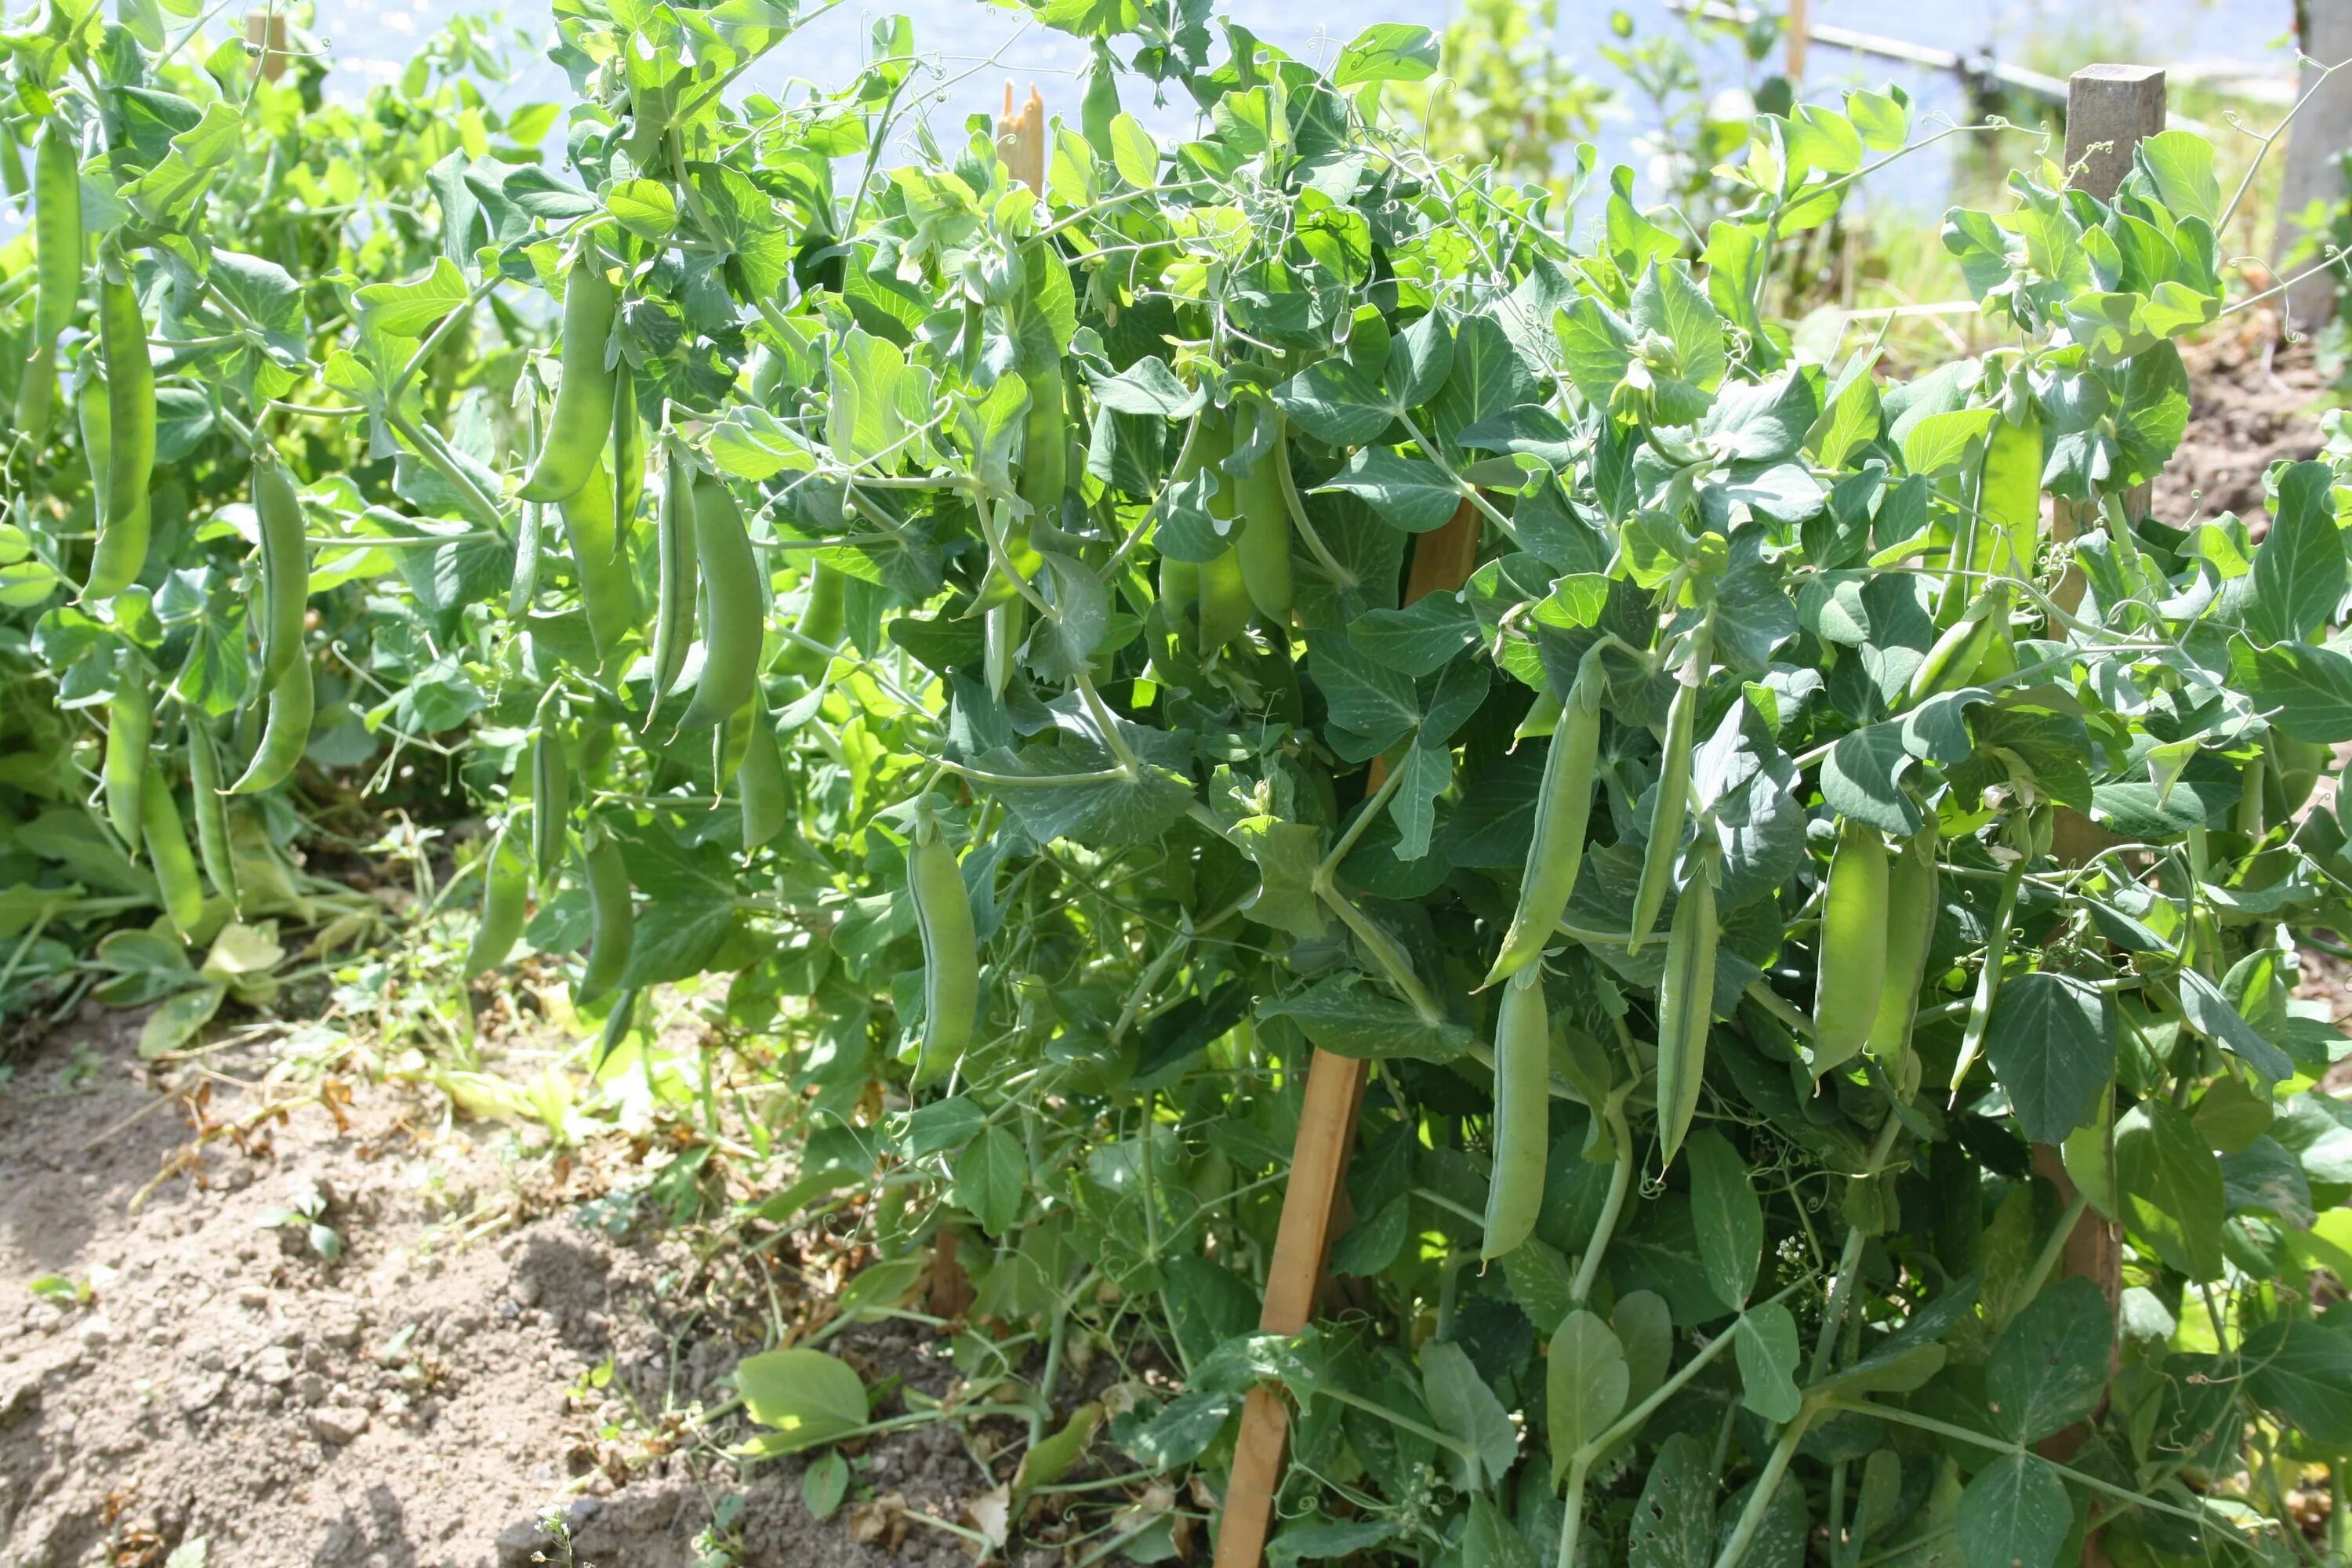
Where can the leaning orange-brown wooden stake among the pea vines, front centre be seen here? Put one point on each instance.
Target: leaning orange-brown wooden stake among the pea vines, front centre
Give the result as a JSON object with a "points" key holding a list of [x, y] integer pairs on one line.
{"points": [[1314, 1200]]}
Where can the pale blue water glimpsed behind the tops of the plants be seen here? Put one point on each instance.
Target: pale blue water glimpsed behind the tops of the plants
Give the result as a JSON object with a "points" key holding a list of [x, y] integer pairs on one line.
{"points": [[975, 48]]}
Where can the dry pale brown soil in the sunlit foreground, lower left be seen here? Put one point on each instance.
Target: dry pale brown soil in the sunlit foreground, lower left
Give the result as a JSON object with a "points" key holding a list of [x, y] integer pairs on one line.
{"points": [[432, 1398]]}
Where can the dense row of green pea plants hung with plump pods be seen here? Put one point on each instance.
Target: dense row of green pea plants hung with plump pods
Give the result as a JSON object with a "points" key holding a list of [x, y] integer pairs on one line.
{"points": [[1812, 864]]}
